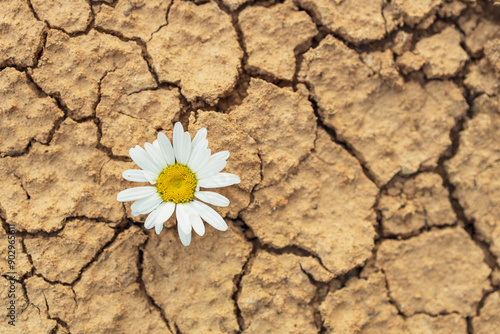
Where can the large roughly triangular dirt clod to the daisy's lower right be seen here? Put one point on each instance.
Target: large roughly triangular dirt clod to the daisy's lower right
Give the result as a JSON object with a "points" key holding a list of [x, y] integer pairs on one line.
{"points": [[322, 207]]}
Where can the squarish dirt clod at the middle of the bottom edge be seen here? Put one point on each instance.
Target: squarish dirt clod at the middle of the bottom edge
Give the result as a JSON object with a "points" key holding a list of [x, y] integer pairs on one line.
{"points": [[268, 305]]}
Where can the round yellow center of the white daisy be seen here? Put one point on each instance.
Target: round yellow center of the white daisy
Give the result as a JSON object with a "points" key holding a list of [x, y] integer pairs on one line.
{"points": [[177, 183]]}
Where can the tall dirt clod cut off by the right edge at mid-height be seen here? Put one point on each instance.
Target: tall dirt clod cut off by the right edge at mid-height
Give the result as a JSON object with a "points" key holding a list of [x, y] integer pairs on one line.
{"points": [[474, 169]]}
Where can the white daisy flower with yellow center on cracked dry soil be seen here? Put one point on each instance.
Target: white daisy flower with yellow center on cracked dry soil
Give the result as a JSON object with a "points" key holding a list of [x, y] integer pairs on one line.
{"points": [[178, 172]]}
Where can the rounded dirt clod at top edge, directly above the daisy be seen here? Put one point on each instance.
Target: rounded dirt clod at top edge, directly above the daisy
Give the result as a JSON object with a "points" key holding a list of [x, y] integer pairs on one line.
{"points": [[198, 50]]}
